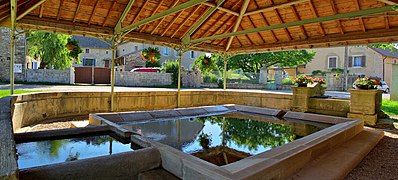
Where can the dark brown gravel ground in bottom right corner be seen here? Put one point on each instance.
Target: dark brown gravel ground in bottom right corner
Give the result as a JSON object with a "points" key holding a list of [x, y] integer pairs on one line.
{"points": [[381, 162]]}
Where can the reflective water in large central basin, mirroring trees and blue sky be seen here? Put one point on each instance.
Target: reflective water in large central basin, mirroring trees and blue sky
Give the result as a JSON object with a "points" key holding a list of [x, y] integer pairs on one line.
{"points": [[245, 135]]}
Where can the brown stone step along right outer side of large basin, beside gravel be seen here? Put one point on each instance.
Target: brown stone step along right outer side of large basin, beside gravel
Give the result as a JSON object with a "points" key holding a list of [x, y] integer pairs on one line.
{"points": [[341, 160]]}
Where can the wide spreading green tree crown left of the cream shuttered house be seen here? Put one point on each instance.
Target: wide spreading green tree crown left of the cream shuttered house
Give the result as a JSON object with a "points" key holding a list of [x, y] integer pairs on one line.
{"points": [[253, 62]]}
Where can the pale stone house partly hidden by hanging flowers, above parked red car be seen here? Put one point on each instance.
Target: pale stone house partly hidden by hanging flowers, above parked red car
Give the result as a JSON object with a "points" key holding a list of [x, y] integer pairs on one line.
{"points": [[166, 53]]}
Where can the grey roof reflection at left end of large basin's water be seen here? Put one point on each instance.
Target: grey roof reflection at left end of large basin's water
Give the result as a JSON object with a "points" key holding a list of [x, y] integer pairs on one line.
{"points": [[166, 132]]}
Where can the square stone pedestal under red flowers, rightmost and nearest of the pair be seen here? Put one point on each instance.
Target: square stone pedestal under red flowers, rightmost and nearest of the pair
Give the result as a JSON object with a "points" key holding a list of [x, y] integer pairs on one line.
{"points": [[365, 105]]}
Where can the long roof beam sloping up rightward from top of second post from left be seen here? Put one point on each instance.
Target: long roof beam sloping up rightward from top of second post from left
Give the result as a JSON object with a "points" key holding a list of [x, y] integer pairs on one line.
{"points": [[162, 14]]}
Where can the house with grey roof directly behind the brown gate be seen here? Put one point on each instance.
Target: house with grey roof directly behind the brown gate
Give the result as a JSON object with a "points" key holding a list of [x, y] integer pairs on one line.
{"points": [[95, 52]]}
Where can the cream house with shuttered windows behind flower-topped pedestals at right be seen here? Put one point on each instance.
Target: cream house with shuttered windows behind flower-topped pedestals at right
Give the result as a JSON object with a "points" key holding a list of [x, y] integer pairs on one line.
{"points": [[363, 61]]}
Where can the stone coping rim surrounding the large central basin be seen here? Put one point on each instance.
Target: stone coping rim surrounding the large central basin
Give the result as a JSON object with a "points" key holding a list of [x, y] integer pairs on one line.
{"points": [[278, 163]]}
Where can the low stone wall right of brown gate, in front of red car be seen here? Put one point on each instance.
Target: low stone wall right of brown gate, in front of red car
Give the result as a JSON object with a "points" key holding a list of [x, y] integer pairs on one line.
{"points": [[142, 79]]}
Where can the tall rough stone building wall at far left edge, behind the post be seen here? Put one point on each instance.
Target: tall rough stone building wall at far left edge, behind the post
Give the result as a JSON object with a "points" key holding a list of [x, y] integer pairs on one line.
{"points": [[5, 57]]}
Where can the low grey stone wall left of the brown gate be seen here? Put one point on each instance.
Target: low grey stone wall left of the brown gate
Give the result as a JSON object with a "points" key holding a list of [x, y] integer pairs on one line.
{"points": [[50, 75]]}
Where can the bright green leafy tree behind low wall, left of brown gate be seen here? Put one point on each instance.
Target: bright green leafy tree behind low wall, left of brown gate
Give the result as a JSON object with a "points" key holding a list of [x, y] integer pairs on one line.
{"points": [[51, 48]]}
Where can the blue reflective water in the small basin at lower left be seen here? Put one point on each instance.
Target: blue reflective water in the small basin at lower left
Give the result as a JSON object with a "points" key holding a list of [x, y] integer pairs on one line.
{"points": [[39, 153]]}
